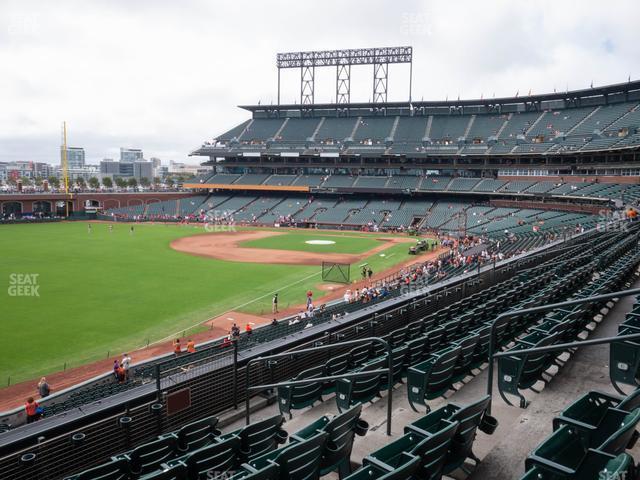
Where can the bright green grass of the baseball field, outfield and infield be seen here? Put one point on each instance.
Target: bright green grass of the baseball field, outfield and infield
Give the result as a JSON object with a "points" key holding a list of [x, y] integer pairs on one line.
{"points": [[111, 292]]}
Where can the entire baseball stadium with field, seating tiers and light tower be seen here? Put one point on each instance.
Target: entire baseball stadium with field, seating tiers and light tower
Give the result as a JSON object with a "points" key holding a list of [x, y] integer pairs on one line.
{"points": [[379, 290]]}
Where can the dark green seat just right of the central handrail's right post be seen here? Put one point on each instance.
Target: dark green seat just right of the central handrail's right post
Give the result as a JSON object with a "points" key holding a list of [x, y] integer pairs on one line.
{"points": [[432, 378]]}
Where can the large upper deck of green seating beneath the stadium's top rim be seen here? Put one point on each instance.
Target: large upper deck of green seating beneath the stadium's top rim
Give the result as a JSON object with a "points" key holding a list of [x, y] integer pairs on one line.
{"points": [[581, 128]]}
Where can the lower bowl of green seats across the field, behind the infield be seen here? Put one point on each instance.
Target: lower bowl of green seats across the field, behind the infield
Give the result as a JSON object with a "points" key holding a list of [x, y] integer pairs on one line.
{"points": [[391, 213]]}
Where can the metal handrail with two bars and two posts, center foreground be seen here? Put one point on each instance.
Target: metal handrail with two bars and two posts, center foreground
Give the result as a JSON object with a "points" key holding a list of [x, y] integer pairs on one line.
{"points": [[389, 372]]}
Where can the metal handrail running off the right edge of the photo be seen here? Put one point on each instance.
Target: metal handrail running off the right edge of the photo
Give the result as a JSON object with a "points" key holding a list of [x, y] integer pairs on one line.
{"points": [[506, 317]]}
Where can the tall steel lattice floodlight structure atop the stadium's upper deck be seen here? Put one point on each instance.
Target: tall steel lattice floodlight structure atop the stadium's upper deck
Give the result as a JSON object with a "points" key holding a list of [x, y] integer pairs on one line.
{"points": [[380, 58]]}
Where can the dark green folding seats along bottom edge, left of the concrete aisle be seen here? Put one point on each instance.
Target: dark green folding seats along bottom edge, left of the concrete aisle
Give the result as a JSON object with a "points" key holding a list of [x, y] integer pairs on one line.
{"points": [[260, 450]]}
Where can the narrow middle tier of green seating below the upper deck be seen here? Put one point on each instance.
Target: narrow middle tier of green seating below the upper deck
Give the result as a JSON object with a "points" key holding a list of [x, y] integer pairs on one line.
{"points": [[435, 183]]}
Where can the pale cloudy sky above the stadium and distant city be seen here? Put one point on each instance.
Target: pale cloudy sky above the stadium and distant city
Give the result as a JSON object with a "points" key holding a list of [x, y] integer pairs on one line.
{"points": [[166, 75]]}
